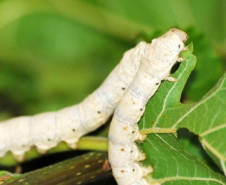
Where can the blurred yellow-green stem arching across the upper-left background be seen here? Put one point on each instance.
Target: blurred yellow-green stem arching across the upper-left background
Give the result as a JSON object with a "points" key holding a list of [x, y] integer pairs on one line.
{"points": [[84, 13]]}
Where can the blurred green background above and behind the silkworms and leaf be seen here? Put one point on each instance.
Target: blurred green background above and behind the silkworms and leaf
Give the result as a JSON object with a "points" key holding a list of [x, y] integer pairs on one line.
{"points": [[54, 53]]}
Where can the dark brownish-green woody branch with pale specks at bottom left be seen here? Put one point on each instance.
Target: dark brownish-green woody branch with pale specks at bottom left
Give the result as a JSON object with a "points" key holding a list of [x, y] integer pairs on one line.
{"points": [[82, 169]]}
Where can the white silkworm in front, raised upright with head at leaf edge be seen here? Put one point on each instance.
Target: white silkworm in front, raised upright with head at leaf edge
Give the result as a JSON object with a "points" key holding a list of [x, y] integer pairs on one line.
{"points": [[156, 63]]}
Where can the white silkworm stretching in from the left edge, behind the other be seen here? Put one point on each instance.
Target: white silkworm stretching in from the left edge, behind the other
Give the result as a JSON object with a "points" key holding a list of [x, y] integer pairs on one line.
{"points": [[46, 130]]}
